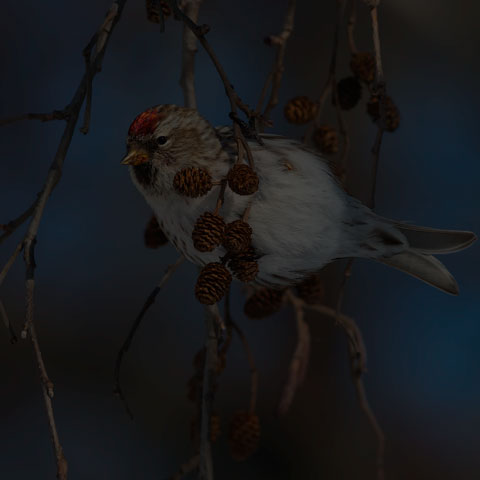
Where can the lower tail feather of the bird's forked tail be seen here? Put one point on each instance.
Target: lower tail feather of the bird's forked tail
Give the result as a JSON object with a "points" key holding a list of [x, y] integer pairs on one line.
{"points": [[424, 267]]}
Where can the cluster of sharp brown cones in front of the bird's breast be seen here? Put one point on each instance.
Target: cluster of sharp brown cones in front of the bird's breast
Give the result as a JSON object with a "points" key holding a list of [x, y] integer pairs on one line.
{"points": [[211, 231]]}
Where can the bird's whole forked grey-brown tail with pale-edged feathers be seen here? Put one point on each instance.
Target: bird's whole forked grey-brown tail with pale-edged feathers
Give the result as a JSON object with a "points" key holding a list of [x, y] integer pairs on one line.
{"points": [[418, 260]]}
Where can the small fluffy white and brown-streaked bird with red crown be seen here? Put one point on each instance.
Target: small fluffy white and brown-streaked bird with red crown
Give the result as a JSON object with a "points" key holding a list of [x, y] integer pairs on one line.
{"points": [[301, 217]]}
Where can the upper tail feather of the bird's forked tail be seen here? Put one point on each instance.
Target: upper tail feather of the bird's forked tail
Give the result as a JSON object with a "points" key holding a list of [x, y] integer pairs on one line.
{"points": [[435, 241]]}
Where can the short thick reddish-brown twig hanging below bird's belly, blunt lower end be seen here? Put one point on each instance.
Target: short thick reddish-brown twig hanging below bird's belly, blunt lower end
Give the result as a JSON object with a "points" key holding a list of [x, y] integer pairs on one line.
{"points": [[299, 362]]}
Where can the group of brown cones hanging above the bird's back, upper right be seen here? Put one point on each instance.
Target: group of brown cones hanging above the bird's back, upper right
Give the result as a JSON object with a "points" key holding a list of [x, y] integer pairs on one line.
{"points": [[301, 110]]}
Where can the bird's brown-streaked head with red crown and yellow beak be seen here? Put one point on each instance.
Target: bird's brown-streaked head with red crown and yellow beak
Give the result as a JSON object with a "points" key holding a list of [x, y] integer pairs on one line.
{"points": [[164, 139]]}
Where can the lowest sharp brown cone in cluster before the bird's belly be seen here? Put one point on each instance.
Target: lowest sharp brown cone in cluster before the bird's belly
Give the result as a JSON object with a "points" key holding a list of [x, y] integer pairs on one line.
{"points": [[212, 283]]}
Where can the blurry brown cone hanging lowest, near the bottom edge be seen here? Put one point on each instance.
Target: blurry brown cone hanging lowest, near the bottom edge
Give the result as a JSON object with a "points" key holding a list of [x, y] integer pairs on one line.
{"points": [[244, 434]]}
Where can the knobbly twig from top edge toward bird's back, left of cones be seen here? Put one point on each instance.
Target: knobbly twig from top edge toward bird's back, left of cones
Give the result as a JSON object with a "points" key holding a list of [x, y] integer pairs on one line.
{"points": [[275, 76]]}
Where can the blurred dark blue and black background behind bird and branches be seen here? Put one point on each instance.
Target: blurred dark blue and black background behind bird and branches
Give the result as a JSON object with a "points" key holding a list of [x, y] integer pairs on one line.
{"points": [[94, 272]]}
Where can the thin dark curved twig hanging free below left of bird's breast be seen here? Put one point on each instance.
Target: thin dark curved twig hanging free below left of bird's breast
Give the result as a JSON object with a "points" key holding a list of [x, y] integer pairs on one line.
{"points": [[133, 330]]}
